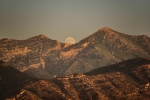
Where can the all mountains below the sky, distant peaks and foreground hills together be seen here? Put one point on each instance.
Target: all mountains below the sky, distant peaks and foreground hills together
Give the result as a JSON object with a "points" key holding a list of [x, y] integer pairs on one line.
{"points": [[107, 65]]}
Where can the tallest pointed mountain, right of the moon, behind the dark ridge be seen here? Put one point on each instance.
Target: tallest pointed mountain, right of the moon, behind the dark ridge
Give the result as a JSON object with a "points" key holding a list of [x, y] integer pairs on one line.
{"points": [[106, 47]]}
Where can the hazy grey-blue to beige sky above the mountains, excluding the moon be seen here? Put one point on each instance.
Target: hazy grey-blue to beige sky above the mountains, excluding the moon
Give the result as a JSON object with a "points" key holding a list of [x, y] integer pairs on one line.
{"points": [[59, 19]]}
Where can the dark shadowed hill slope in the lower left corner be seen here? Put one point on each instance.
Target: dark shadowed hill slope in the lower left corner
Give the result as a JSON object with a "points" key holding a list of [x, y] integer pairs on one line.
{"points": [[11, 80]]}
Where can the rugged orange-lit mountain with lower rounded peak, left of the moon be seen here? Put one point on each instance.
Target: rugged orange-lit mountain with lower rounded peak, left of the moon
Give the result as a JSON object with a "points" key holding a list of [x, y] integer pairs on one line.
{"points": [[29, 55]]}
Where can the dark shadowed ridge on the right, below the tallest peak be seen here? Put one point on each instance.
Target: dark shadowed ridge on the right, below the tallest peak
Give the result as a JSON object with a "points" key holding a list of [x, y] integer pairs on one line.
{"points": [[124, 66]]}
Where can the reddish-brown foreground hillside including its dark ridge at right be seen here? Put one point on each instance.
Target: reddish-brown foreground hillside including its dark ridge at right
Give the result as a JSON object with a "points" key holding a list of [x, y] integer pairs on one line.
{"points": [[127, 80]]}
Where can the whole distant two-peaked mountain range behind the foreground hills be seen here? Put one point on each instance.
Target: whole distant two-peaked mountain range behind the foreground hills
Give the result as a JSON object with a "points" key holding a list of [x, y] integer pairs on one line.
{"points": [[42, 57]]}
